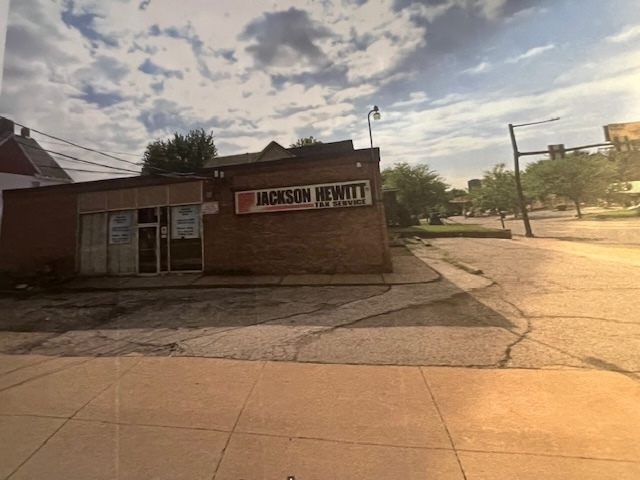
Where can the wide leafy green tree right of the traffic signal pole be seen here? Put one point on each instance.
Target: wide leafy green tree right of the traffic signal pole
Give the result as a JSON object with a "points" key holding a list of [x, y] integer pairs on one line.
{"points": [[579, 176]]}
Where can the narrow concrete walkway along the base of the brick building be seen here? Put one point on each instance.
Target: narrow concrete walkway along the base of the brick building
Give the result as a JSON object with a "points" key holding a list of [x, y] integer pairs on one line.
{"points": [[407, 269]]}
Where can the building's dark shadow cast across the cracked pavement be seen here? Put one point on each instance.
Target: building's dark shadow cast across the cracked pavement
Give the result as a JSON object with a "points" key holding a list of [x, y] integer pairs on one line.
{"points": [[64, 321]]}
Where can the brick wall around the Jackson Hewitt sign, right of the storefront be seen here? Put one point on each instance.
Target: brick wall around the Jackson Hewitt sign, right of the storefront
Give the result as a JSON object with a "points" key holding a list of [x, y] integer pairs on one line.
{"points": [[342, 240]]}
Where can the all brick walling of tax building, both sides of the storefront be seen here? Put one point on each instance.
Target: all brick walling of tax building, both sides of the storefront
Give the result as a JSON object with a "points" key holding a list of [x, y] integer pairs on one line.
{"points": [[40, 225]]}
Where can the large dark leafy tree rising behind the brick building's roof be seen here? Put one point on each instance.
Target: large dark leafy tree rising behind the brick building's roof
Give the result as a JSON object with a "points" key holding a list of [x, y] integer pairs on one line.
{"points": [[182, 153]]}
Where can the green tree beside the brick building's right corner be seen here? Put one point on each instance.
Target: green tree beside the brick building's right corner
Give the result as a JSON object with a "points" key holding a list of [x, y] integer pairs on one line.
{"points": [[419, 189]]}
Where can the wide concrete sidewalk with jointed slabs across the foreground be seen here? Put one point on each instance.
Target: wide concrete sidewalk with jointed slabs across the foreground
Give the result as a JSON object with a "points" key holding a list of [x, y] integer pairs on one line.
{"points": [[191, 418]]}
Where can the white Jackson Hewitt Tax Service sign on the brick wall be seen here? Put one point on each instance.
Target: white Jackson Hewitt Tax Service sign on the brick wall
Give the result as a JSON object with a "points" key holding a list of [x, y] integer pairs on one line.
{"points": [[305, 197]]}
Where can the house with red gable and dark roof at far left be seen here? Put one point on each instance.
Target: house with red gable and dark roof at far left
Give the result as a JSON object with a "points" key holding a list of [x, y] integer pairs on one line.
{"points": [[24, 163]]}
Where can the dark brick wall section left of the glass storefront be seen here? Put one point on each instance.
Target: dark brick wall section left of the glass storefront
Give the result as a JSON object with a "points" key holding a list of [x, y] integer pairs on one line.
{"points": [[38, 229]]}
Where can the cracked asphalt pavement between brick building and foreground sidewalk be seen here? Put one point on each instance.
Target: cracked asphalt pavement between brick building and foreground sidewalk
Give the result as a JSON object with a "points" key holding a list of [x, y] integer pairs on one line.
{"points": [[541, 303]]}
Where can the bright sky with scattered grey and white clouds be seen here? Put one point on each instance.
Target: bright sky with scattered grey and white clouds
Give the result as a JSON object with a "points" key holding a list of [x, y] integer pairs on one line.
{"points": [[448, 75]]}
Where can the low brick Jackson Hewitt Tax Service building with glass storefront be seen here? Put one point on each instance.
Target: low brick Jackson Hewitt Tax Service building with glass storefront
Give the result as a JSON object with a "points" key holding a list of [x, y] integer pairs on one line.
{"points": [[313, 209]]}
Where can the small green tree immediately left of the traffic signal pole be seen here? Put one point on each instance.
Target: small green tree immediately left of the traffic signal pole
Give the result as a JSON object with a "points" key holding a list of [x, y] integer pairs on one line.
{"points": [[498, 191]]}
